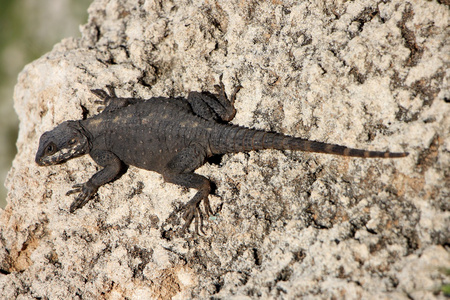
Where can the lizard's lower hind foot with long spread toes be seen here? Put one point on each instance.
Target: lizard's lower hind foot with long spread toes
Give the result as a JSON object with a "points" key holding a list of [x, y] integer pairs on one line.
{"points": [[194, 213]]}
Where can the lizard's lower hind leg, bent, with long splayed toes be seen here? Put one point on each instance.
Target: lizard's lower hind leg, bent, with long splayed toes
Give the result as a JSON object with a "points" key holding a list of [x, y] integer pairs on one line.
{"points": [[180, 171]]}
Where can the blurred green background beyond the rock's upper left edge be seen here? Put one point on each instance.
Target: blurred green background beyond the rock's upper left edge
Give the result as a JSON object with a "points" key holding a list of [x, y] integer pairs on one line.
{"points": [[28, 29]]}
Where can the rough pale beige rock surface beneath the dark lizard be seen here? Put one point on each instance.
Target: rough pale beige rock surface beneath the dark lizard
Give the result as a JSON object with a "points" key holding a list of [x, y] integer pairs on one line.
{"points": [[288, 225]]}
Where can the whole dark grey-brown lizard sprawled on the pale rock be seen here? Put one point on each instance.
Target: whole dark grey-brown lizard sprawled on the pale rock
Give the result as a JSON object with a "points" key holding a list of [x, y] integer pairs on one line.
{"points": [[171, 136]]}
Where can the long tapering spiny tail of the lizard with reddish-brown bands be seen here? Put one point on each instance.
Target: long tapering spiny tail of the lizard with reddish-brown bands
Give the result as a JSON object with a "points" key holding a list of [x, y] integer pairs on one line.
{"points": [[241, 139]]}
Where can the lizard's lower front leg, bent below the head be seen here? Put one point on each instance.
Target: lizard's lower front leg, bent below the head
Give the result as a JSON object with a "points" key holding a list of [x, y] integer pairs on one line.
{"points": [[112, 167]]}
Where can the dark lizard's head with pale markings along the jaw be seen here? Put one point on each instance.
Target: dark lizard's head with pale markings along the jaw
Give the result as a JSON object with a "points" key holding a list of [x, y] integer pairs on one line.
{"points": [[66, 141]]}
